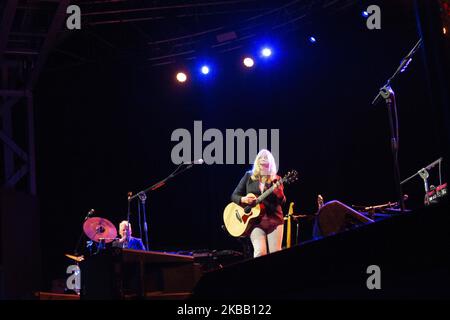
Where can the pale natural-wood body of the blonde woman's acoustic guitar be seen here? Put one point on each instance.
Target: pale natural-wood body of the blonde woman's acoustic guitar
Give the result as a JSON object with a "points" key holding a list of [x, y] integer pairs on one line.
{"points": [[237, 222]]}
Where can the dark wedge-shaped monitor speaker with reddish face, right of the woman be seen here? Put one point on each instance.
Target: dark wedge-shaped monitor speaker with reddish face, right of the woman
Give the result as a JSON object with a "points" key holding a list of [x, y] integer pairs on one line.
{"points": [[335, 217]]}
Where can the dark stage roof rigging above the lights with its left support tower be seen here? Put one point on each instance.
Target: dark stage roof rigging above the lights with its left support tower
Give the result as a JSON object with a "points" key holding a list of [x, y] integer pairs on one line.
{"points": [[153, 32]]}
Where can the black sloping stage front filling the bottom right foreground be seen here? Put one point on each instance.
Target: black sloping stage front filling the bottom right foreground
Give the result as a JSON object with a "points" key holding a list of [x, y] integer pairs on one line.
{"points": [[412, 252]]}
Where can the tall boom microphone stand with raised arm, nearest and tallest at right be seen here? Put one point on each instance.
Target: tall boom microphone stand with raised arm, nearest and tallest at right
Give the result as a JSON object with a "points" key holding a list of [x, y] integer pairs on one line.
{"points": [[387, 94]]}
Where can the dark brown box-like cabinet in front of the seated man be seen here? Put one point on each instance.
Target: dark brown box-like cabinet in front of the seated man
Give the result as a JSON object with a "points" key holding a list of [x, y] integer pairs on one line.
{"points": [[126, 274]]}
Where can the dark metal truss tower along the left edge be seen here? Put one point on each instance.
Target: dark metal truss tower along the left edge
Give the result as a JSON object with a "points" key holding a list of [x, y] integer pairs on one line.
{"points": [[22, 56]]}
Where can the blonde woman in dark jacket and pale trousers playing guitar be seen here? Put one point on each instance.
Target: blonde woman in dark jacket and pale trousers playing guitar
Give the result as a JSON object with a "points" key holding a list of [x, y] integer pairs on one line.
{"points": [[267, 232]]}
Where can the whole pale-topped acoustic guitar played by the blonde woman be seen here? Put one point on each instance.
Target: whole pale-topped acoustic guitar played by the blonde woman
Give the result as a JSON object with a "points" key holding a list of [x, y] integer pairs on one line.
{"points": [[238, 219]]}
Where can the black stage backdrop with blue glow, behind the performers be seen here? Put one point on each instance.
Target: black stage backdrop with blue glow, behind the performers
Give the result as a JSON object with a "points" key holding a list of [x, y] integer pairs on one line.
{"points": [[104, 129]]}
